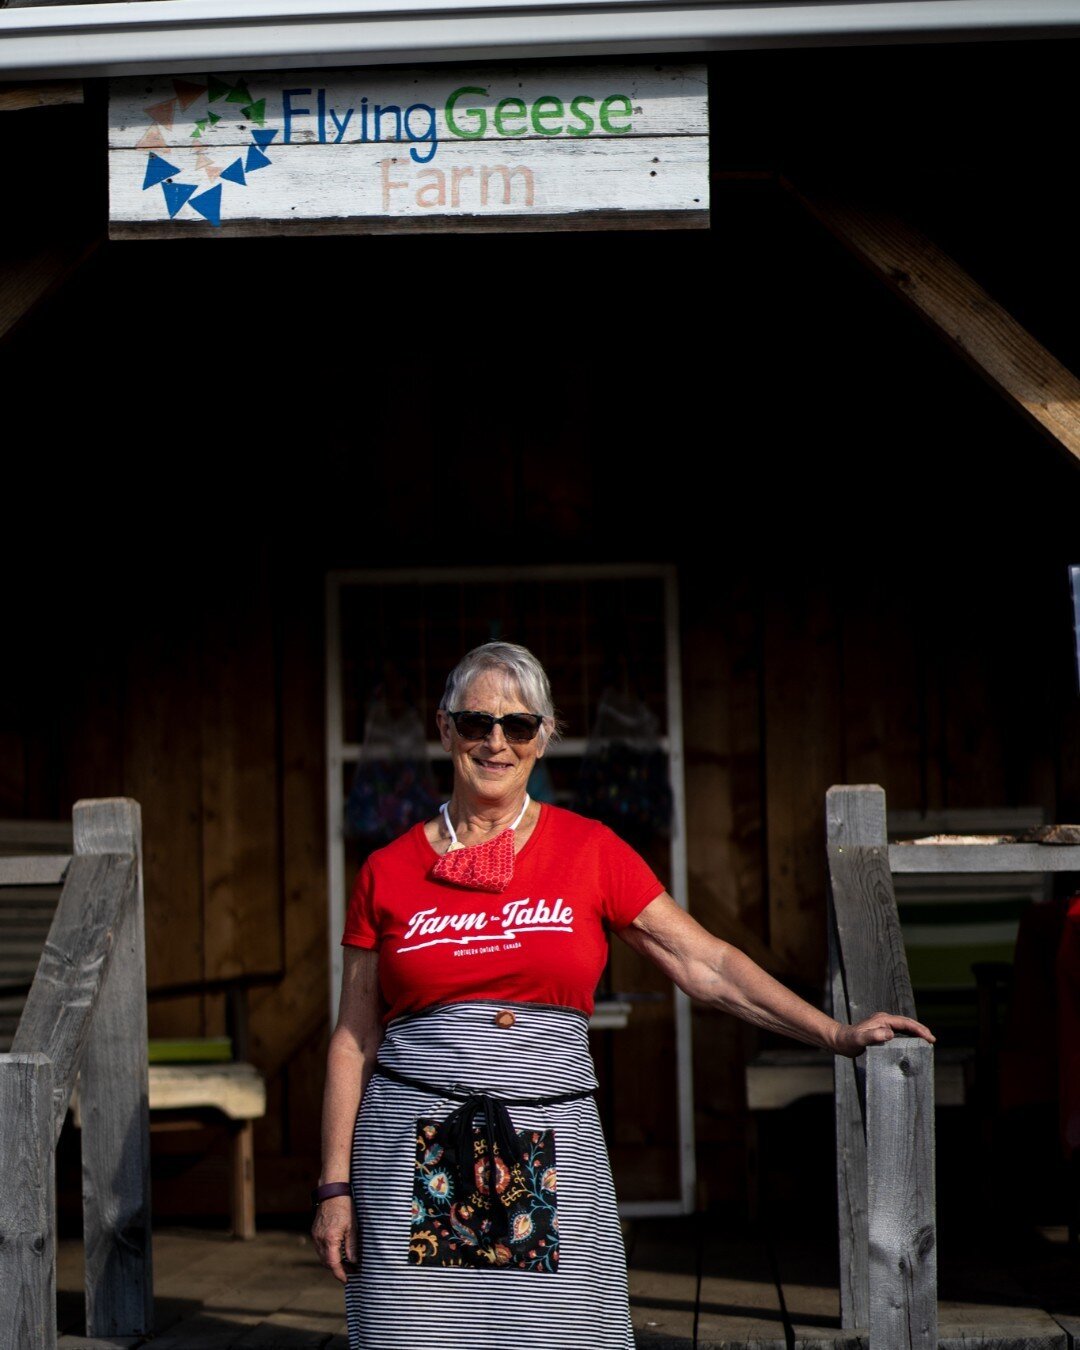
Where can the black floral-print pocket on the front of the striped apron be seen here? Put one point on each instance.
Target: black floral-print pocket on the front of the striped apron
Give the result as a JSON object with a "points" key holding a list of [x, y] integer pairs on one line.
{"points": [[484, 1210]]}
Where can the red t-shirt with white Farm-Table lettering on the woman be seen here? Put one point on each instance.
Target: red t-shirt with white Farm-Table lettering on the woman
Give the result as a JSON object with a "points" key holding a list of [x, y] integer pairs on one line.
{"points": [[543, 940]]}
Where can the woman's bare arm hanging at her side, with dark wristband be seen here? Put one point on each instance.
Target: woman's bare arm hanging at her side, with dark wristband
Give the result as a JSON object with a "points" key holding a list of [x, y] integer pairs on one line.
{"points": [[353, 1048]]}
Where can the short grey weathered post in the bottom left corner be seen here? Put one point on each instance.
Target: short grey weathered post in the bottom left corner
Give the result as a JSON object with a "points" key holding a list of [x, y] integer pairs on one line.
{"points": [[28, 1205]]}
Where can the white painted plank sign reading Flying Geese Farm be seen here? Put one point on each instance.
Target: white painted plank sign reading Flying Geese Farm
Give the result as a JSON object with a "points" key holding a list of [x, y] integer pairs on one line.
{"points": [[341, 152]]}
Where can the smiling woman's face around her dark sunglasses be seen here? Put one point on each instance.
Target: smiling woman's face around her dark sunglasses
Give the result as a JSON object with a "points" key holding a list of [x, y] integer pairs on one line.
{"points": [[493, 770]]}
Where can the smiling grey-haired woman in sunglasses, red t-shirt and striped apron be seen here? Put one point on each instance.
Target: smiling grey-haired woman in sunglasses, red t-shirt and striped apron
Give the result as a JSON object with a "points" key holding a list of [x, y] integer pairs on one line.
{"points": [[473, 947]]}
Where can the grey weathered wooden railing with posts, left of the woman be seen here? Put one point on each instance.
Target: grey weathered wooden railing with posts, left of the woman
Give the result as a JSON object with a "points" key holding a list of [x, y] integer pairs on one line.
{"points": [[84, 1017]]}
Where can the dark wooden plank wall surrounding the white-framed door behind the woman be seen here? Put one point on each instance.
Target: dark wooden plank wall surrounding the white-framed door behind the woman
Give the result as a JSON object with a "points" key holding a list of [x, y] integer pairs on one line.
{"points": [[871, 551]]}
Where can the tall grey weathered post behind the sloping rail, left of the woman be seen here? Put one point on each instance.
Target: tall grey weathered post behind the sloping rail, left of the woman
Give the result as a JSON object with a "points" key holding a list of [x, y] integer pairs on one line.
{"points": [[114, 1101]]}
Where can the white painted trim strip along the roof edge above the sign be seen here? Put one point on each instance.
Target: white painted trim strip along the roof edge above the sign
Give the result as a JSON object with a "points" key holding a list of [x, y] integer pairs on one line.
{"points": [[196, 36]]}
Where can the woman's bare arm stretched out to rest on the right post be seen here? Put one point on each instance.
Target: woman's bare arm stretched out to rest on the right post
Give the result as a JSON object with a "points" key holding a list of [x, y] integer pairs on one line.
{"points": [[716, 973]]}
